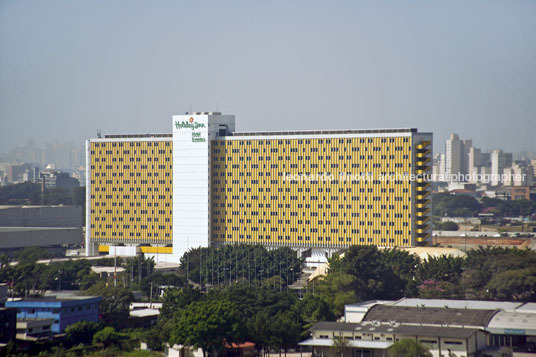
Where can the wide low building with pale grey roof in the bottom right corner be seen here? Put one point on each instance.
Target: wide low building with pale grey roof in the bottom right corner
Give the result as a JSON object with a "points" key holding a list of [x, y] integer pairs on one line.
{"points": [[507, 326]]}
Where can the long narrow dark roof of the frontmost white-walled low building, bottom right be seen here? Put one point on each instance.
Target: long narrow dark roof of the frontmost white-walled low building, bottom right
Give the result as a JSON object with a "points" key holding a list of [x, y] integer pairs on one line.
{"points": [[399, 329]]}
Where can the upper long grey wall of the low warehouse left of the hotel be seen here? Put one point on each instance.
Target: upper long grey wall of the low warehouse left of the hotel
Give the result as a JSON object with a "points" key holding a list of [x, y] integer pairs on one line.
{"points": [[41, 216]]}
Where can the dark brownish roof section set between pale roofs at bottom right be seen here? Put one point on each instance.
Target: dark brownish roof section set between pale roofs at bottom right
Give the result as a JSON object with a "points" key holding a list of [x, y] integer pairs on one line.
{"points": [[429, 315]]}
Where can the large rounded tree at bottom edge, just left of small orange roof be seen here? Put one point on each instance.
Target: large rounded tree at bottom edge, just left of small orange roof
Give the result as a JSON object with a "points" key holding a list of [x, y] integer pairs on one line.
{"points": [[208, 324]]}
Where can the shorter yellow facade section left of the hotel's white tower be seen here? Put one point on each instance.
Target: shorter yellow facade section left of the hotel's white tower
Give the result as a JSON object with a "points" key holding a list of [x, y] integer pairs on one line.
{"points": [[131, 191]]}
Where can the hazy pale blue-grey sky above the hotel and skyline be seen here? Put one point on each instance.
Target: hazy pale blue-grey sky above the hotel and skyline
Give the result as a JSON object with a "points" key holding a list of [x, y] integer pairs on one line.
{"points": [[68, 68]]}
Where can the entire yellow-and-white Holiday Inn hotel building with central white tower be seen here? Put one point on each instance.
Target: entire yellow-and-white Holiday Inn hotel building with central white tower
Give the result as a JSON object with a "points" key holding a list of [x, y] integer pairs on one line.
{"points": [[207, 184]]}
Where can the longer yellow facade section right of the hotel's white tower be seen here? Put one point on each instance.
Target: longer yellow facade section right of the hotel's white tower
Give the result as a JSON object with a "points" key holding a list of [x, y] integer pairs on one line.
{"points": [[253, 202]]}
